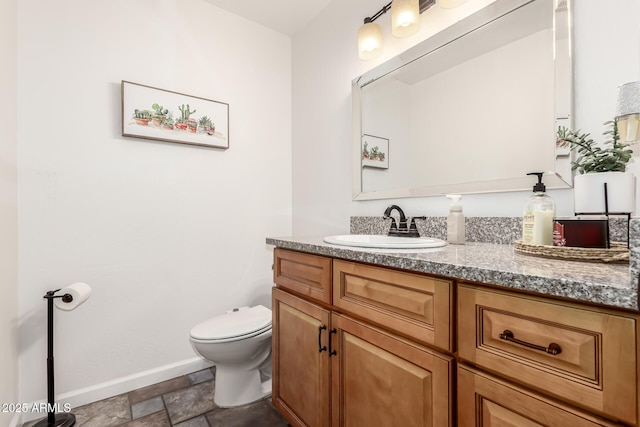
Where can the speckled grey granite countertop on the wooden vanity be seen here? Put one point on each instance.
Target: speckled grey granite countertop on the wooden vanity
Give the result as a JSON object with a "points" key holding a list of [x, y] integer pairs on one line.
{"points": [[495, 264]]}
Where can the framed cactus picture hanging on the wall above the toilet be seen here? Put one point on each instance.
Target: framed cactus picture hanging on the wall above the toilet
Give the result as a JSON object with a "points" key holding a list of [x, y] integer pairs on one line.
{"points": [[164, 115]]}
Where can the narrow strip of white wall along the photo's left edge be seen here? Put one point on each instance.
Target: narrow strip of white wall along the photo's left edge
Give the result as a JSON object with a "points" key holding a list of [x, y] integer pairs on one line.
{"points": [[8, 211]]}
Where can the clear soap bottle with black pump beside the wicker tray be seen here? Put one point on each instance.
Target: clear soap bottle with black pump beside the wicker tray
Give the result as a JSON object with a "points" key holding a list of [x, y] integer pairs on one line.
{"points": [[537, 220]]}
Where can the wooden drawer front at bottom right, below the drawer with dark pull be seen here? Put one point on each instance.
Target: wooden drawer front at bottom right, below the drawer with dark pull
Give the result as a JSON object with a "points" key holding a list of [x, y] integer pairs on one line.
{"points": [[484, 400]]}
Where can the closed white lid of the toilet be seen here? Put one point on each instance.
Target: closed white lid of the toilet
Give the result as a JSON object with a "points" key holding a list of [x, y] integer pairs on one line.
{"points": [[233, 324]]}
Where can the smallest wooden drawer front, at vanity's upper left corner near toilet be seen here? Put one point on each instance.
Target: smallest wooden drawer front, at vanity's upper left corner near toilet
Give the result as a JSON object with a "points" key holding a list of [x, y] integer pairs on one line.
{"points": [[303, 273]]}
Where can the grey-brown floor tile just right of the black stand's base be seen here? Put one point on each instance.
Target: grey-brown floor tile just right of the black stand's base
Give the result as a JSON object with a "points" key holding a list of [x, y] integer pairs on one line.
{"points": [[104, 413]]}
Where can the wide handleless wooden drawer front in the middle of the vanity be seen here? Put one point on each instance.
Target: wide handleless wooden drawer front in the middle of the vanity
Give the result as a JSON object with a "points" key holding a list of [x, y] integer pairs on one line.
{"points": [[414, 305]]}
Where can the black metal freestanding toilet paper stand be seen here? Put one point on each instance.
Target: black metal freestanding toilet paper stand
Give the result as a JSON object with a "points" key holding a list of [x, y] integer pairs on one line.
{"points": [[53, 419]]}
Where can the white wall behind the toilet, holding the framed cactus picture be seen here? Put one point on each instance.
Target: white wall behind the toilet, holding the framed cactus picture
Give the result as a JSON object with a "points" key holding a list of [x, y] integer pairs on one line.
{"points": [[166, 234]]}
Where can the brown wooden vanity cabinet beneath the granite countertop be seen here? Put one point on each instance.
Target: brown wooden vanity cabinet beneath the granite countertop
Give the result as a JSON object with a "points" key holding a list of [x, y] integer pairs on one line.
{"points": [[362, 345]]}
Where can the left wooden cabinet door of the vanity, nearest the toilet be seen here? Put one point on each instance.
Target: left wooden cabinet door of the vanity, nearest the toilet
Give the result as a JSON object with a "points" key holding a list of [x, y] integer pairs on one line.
{"points": [[301, 374]]}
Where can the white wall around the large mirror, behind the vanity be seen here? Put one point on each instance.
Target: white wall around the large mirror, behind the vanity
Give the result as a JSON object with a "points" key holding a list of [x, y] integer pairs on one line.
{"points": [[325, 59]]}
